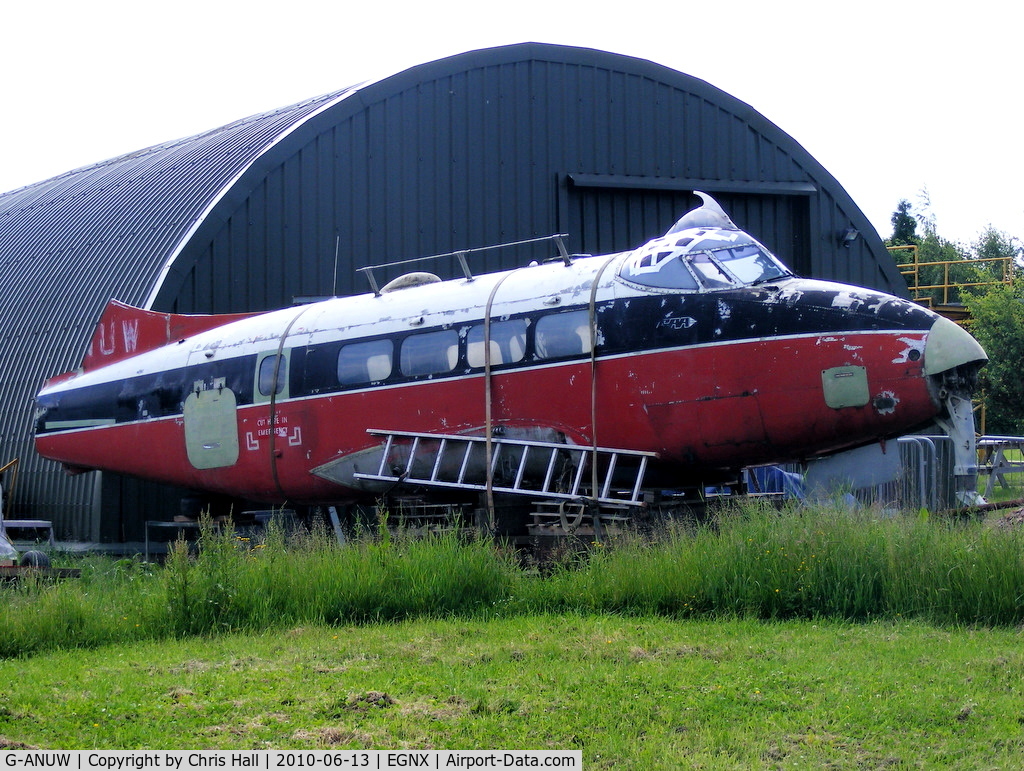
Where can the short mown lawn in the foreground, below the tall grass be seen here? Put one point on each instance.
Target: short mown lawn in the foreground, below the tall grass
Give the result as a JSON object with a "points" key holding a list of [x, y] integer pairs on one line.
{"points": [[644, 693]]}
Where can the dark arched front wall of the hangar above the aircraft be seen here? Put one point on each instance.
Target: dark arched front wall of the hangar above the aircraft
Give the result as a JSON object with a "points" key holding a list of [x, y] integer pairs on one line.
{"points": [[507, 145]]}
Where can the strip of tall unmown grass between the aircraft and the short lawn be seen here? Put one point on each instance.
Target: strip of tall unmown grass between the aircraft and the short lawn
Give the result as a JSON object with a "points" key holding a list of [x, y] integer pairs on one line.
{"points": [[752, 562]]}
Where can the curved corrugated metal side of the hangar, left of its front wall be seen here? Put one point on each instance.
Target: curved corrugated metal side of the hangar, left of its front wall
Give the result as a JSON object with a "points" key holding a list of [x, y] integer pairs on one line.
{"points": [[70, 244]]}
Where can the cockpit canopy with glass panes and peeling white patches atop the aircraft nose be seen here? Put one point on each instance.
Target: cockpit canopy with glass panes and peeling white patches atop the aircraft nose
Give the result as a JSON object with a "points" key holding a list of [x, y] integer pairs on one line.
{"points": [[702, 259]]}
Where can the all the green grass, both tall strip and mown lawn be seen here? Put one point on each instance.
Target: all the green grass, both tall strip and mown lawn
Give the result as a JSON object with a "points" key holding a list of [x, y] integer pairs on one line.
{"points": [[804, 638]]}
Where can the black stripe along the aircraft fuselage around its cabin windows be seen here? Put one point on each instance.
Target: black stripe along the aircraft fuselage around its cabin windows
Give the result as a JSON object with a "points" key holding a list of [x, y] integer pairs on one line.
{"points": [[631, 326]]}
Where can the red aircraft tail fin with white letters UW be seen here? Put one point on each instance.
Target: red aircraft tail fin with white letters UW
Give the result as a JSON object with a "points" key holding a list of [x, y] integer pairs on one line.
{"points": [[124, 331]]}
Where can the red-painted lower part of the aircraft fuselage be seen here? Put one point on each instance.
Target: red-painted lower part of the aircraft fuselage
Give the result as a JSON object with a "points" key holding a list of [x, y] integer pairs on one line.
{"points": [[702, 409]]}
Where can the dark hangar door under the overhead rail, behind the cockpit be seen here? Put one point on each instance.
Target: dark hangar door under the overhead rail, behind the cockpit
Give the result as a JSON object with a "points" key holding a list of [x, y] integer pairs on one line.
{"points": [[603, 219]]}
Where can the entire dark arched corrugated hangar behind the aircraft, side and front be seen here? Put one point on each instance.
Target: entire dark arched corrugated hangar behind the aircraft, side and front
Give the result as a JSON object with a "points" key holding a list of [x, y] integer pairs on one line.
{"points": [[489, 147]]}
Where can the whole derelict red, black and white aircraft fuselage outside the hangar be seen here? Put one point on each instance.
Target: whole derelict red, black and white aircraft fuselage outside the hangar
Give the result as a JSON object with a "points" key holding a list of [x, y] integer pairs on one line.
{"points": [[693, 357]]}
